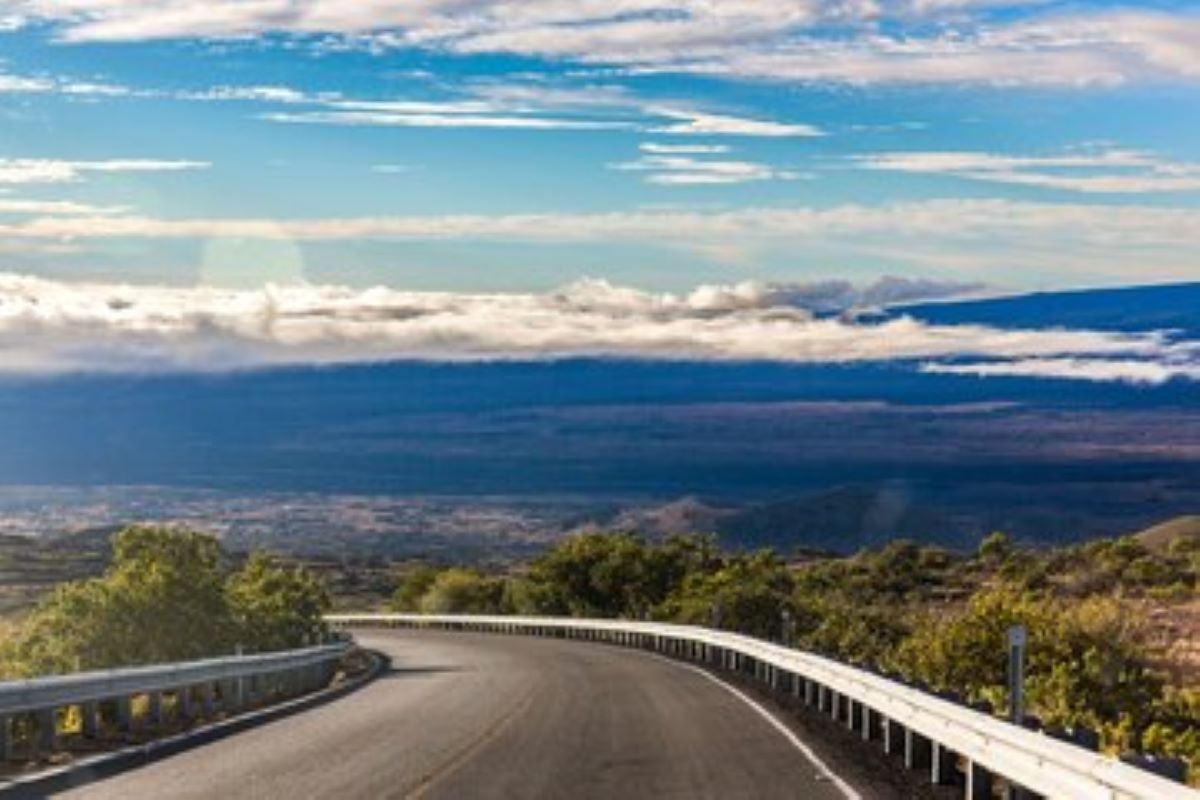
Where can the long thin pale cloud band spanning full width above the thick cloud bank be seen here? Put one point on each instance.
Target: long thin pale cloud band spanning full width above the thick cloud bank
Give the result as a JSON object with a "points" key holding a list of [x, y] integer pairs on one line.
{"points": [[950, 220]]}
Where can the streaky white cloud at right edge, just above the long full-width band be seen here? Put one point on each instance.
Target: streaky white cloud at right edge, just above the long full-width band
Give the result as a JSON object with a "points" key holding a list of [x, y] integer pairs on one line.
{"points": [[1109, 171]]}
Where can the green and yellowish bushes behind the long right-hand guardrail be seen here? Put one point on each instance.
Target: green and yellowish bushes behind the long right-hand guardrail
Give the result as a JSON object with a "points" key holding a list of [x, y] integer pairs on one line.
{"points": [[1099, 658]]}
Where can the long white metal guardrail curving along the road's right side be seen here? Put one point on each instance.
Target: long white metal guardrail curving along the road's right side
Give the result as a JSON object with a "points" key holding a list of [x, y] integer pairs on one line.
{"points": [[955, 743]]}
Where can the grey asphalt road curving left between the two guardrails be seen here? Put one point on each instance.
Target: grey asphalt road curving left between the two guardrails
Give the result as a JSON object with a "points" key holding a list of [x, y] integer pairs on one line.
{"points": [[491, 717]]}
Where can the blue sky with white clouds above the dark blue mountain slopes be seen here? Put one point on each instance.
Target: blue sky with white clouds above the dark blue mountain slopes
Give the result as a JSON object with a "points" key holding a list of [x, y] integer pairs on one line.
{"points": [[466, 157]]}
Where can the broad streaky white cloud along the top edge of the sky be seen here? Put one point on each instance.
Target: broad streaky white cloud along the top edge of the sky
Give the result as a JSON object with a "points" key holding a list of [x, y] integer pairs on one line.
{"points": [[842, 41]]}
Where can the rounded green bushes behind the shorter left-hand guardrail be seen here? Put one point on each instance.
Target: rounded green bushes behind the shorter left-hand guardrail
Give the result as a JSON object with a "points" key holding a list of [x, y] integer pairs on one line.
{"points": [[167, 596]]}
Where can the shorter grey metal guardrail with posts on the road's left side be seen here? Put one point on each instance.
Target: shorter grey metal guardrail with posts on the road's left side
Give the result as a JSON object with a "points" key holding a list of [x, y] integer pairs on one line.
{"points": [[226, 682]]}
